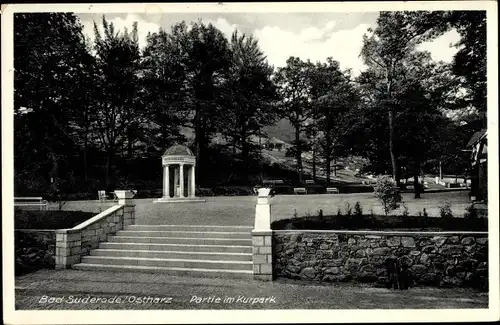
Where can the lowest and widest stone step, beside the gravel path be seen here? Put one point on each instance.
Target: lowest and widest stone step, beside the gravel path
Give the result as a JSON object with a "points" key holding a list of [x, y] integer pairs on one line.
{"points": [[205, 273]]}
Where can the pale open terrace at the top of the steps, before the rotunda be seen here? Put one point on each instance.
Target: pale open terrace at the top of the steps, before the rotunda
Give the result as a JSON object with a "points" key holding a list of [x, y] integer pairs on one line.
{"points": [[239, 210]]}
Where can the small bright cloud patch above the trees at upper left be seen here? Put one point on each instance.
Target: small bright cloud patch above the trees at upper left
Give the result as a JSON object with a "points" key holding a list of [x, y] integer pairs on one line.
{"points": [[143, 27]]}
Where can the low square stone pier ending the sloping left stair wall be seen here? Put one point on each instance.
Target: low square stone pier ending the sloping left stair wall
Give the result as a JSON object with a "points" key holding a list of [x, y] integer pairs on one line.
{"points": [[68, 248]]}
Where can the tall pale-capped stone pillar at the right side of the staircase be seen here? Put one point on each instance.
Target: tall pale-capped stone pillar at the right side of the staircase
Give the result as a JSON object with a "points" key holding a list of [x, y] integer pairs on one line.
{"points": [[262, 254]]}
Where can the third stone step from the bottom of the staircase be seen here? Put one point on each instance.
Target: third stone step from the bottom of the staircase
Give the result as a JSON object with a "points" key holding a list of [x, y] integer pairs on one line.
{"points": [[173, 254]]}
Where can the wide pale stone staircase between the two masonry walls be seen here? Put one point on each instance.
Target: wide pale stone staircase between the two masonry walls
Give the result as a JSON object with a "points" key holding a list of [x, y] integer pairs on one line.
{"points": [[187, 250]]}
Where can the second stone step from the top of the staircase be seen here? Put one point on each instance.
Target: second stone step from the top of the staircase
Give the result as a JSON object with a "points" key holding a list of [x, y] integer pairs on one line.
{"points": [[182, 240]]}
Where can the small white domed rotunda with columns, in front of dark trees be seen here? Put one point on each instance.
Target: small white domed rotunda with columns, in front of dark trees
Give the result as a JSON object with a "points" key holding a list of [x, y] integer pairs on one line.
{"points": [[179, 182]]}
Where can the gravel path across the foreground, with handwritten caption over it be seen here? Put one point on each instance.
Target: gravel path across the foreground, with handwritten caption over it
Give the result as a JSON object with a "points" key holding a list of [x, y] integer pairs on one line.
{"points": [[188, 293]]}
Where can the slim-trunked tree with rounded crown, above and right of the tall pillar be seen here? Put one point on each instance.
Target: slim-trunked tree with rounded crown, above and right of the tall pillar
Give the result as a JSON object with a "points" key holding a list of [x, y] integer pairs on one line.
{"points": [[294, 87]]}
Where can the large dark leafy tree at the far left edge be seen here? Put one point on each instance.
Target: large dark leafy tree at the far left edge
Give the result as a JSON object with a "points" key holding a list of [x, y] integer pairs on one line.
{"points": [[49, 55]]}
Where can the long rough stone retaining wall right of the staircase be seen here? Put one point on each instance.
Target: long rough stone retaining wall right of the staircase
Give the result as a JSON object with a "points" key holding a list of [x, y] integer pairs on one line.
{"points": [[437, 259]]}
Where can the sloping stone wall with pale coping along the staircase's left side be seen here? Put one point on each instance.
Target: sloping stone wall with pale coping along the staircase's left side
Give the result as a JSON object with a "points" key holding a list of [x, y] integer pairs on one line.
{"points": [[73, 243]]}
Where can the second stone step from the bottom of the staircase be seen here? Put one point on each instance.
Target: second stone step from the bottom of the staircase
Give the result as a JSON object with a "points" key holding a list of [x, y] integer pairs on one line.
{"points": [[169, 262]]}
